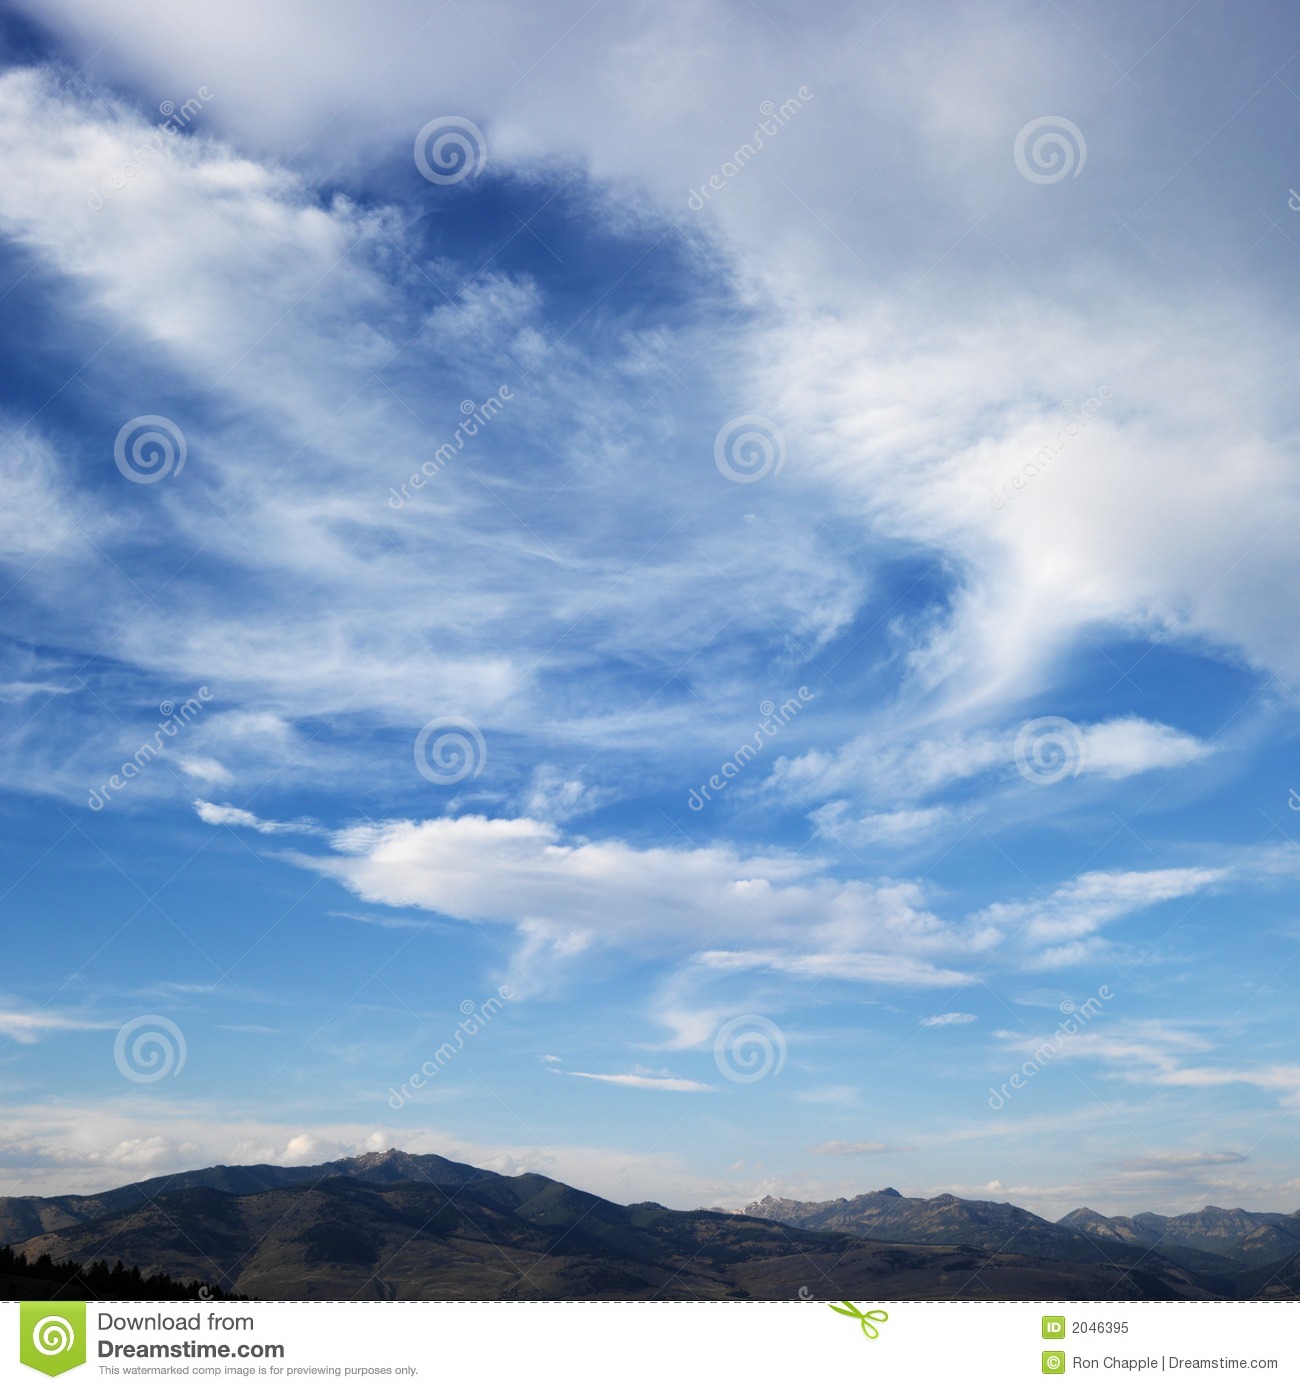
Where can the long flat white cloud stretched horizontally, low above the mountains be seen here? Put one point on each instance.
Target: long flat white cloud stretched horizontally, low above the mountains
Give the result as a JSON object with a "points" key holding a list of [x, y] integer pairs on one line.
{"points": [[731, 914]]}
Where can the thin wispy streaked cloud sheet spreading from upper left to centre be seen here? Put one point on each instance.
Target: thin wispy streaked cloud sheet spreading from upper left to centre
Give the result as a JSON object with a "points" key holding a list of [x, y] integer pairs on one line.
{"points": [[635, 568]]}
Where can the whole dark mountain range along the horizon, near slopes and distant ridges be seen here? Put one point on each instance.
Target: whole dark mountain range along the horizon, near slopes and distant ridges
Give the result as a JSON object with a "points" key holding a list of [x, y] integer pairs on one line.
{"points": [[421, 1227]]}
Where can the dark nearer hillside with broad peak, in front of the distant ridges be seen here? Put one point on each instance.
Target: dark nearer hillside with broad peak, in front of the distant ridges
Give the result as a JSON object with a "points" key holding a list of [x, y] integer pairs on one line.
{"points": [[478, 1235]]}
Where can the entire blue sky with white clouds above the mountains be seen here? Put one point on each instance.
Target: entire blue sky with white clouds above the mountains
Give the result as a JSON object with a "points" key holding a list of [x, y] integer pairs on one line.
{"points": [[996, 594]]}
